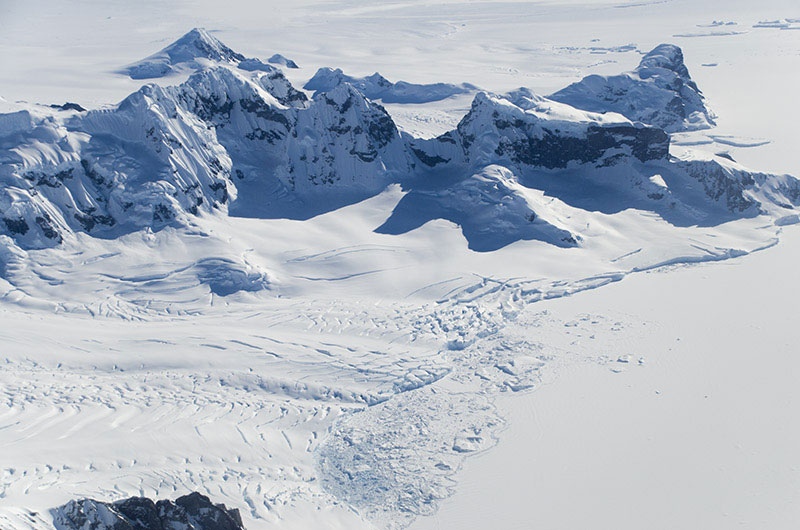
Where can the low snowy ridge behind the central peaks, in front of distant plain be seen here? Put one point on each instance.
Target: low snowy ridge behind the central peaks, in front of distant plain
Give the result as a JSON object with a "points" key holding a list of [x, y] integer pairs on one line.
{"points": [[376, 86]]}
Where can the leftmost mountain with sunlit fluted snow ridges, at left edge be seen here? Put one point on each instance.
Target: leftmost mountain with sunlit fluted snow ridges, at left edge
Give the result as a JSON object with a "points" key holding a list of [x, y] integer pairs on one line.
{"points": [[145, 163]]}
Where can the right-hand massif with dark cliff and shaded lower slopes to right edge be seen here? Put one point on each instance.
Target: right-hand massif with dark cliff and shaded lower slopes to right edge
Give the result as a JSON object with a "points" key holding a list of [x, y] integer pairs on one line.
{"points": [[599, 162]]}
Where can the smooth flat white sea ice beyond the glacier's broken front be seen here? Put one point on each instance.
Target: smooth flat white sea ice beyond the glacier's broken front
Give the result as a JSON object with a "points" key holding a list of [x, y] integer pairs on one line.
{"points": [[701, 435]]}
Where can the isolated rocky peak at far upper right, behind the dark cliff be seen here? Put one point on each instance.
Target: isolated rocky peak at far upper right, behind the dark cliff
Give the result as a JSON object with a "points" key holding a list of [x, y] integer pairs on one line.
{"points": [[658, 92]]}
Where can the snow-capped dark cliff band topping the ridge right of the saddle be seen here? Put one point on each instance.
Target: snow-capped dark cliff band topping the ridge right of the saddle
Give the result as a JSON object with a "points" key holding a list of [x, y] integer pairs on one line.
{"points": [[526, 130]]}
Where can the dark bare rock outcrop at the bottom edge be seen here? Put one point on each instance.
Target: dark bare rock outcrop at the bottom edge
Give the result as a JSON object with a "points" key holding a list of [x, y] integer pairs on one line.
{"points": [[193, 511]]}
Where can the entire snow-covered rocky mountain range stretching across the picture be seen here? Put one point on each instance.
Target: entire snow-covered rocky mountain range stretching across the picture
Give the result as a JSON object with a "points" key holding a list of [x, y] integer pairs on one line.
{"points": [[246, 141]]}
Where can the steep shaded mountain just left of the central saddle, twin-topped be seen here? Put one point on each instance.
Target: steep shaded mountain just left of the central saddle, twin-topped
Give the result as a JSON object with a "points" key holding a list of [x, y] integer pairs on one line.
{"points": [[286, 149]]}
